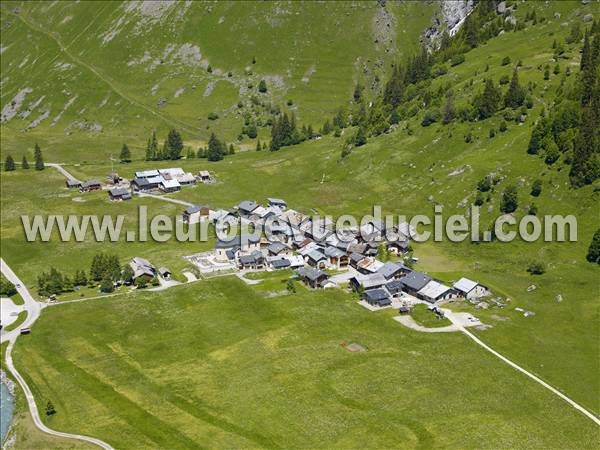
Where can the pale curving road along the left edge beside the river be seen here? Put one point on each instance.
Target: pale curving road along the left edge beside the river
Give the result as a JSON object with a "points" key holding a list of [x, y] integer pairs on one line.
{"points": [[33, 309]]}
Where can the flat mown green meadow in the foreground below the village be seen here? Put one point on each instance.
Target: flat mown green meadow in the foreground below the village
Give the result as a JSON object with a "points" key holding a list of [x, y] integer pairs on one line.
{"points": [[195, 364]]}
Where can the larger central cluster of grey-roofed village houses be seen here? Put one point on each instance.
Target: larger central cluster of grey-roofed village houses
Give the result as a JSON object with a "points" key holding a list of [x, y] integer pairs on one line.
{"points": [[321, 259]]}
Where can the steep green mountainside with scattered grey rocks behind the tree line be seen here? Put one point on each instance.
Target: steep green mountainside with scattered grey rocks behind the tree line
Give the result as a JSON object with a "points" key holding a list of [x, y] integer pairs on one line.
{"points": [[118, 70]]}
